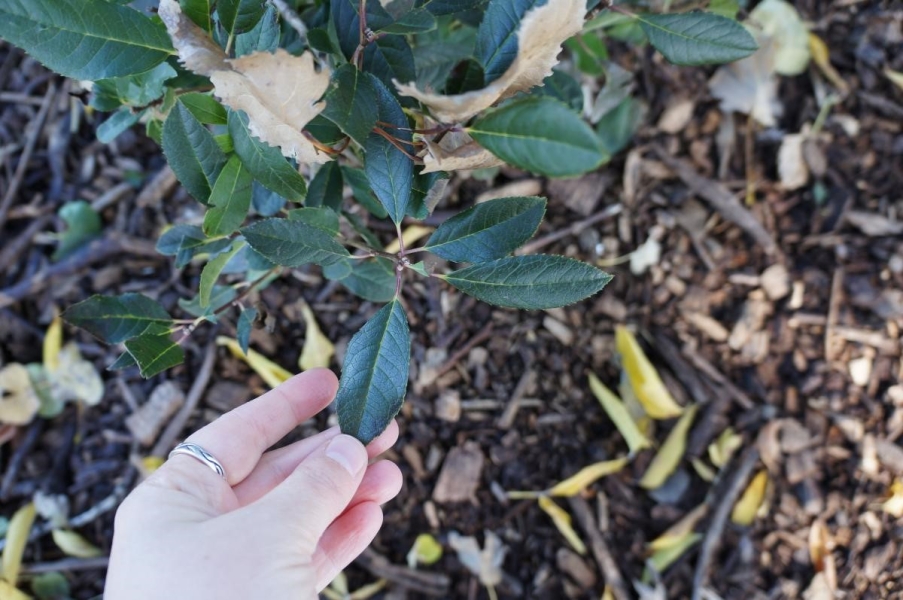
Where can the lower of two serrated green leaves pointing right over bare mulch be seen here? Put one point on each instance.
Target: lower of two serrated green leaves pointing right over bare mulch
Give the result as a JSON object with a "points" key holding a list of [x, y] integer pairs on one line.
{"points": [[530, 282]]}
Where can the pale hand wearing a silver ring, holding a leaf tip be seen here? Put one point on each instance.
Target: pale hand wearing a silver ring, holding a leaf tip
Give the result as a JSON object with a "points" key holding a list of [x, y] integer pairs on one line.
{"points": [[281, 525]]}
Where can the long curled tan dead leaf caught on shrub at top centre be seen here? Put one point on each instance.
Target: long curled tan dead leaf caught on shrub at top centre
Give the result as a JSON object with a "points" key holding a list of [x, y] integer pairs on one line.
{"points": [[540, 35]]}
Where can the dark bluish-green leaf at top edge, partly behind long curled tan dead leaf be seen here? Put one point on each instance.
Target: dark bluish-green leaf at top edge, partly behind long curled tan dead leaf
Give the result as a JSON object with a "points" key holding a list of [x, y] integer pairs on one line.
{"points": [[497, 36]]}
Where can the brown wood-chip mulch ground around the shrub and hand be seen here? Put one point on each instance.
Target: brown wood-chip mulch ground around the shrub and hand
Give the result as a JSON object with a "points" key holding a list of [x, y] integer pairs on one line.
{"points": [[780, 319]]}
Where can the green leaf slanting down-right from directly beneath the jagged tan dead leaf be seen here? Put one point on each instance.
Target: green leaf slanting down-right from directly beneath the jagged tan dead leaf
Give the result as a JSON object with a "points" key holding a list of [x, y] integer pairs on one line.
{"points": [[265, 163]]}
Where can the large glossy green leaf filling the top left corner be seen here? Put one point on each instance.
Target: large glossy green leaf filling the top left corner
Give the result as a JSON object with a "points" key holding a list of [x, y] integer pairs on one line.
{"points": [[115, 41]]}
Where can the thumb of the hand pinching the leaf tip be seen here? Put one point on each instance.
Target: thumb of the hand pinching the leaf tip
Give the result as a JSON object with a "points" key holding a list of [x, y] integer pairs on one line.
{"points": [[319, 490]]}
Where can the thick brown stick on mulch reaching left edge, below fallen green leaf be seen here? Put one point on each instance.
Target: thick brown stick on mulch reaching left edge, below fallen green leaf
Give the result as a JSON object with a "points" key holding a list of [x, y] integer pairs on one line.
{"points": [[100, 250]]}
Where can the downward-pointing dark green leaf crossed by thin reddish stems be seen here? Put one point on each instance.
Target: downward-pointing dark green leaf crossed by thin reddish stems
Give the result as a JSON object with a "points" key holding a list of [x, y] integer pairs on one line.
{"points": [[389, 171]]}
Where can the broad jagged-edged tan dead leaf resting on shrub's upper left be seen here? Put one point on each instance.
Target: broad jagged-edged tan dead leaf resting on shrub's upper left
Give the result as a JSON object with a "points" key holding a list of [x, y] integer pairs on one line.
{"points": [[279, 92]]}
